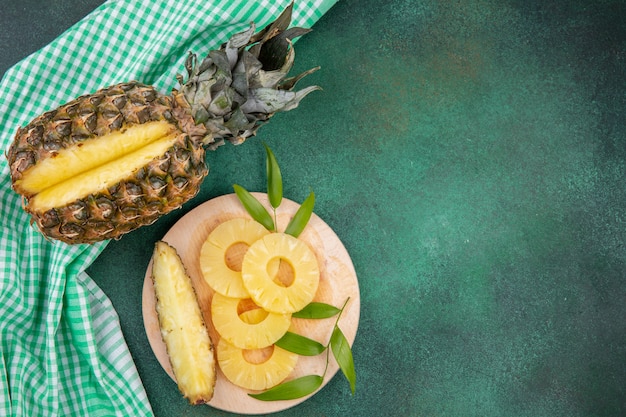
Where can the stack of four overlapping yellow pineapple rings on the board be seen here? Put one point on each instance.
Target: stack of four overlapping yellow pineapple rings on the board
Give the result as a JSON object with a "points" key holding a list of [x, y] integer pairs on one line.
{"points": [[259, 278]]}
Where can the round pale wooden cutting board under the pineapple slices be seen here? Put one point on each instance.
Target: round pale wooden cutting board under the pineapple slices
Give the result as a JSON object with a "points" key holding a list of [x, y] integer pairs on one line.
{"points": [[338, 283]]}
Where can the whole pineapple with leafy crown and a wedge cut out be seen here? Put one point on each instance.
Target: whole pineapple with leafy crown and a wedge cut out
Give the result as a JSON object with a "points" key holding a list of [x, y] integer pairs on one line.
{"points": [[107, 163]]}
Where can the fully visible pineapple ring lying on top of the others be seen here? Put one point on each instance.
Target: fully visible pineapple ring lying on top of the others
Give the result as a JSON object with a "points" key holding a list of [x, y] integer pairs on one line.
{"points": [[269, 291]]}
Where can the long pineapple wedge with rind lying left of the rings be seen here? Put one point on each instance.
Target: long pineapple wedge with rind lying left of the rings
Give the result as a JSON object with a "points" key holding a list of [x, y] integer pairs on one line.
{"points": [[182, 327]]}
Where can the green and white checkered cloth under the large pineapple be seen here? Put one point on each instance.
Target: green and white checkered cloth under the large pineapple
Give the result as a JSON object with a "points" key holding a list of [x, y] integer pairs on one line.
{"points": [[62, 352]]}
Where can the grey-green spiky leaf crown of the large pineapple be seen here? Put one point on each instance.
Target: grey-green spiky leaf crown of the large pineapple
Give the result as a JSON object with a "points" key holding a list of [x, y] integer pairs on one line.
{"points": [[237, 88]]}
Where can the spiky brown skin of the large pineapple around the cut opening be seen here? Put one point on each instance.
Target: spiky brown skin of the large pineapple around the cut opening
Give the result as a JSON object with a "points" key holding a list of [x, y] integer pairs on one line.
{"points": [[158, 188]]}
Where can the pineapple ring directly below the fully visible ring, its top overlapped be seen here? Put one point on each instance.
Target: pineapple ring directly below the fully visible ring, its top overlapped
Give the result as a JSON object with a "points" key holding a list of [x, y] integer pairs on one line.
{"points": [[249, 329]]}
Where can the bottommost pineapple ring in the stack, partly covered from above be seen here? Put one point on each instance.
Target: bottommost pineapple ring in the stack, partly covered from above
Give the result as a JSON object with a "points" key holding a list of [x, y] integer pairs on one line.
{"points": [[257, 369]]}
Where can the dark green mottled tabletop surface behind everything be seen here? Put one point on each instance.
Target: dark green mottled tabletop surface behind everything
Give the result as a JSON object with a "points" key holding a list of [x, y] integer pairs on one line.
{"points": [[471, 155]]}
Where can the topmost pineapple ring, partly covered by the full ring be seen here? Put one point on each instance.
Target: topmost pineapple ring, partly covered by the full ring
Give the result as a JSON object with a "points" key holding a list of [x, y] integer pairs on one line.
{"points": [[223, 251]]}
